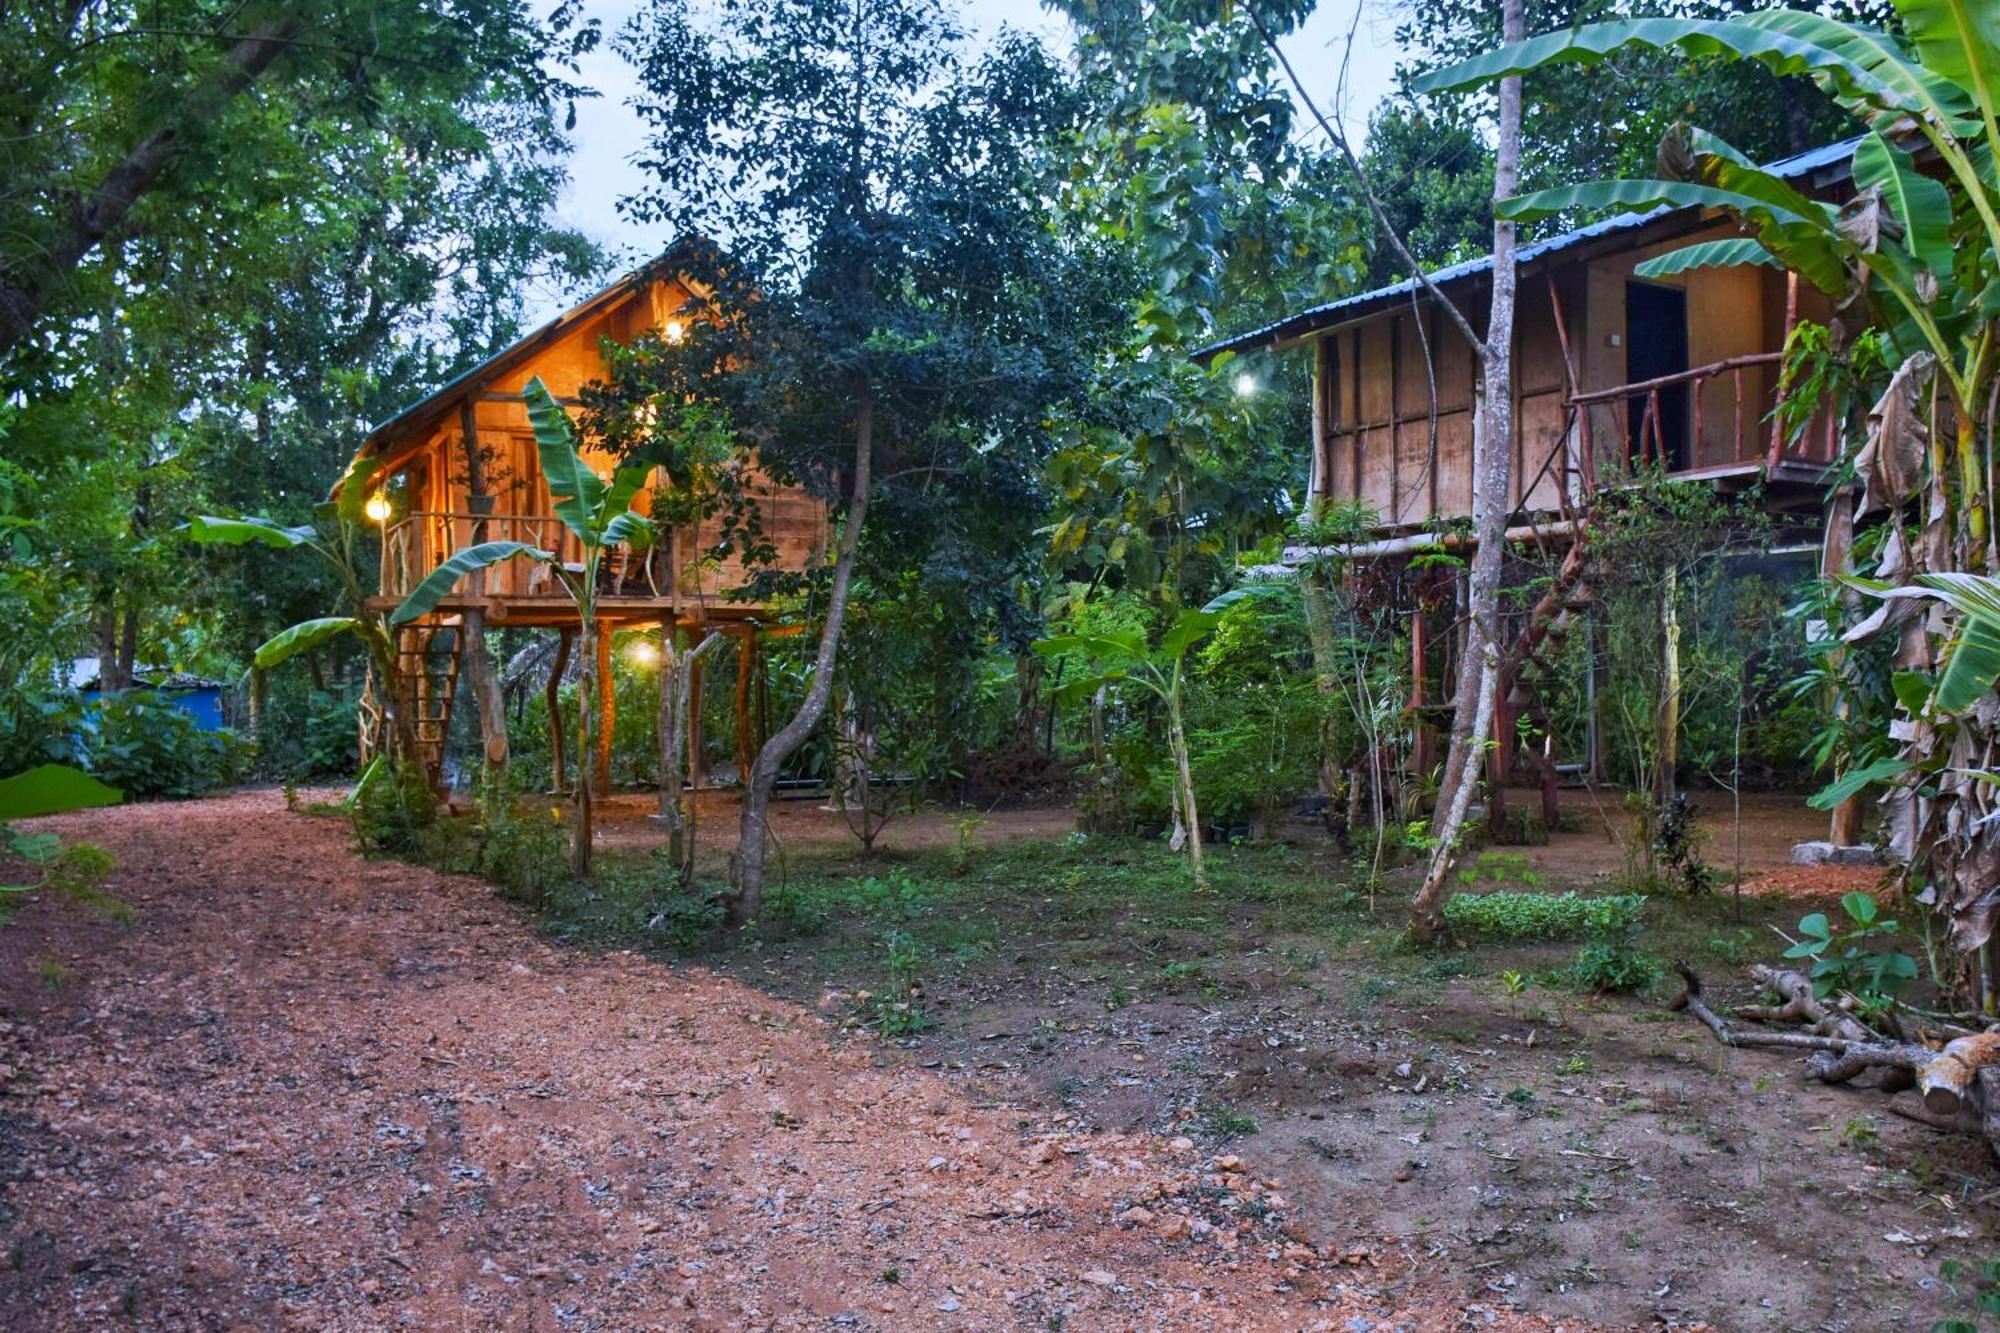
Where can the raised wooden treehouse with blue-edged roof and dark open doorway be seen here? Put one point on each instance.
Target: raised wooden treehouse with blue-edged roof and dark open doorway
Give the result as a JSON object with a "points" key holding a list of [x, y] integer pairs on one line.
{"points": [[1617, 379]]}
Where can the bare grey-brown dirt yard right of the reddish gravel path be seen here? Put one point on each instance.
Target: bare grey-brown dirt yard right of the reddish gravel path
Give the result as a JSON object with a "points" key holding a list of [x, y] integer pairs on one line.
{"points": [[1585, 1160]]}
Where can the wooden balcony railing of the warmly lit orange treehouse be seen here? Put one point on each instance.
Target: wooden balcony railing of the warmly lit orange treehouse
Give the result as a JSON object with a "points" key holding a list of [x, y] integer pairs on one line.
{"points": [[423, 541]]}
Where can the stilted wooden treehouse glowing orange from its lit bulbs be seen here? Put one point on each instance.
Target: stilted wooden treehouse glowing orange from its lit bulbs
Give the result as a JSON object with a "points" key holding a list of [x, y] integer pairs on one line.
{"points": [[461, 467]]}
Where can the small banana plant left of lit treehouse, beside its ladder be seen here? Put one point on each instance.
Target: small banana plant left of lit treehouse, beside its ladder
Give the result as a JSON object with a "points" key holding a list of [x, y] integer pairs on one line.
{"points": [[335, 537]]}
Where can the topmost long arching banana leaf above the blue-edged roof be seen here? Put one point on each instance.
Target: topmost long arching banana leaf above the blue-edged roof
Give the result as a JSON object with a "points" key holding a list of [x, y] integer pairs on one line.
{"points": [[1775, 49]]}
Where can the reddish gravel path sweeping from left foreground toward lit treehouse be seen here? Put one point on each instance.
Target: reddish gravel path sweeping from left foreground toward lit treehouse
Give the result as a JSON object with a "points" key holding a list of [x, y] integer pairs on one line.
{"points": [[305, 1090]]}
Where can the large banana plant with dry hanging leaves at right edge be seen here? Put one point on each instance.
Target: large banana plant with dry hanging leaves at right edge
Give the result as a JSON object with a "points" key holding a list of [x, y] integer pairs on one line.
{"points": [[1919, 253]]}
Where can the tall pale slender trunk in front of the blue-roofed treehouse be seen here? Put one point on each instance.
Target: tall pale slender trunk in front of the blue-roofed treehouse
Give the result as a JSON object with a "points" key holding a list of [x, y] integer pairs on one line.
{"points": [[1479, 672]]}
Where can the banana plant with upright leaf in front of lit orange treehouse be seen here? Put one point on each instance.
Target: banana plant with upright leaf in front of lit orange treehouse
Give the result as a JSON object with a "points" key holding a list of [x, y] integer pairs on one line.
{"points": [[599, 515]]}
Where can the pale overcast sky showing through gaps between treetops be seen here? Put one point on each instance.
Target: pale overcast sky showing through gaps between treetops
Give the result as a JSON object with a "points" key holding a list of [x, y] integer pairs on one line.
{"points": [[609, 133]]}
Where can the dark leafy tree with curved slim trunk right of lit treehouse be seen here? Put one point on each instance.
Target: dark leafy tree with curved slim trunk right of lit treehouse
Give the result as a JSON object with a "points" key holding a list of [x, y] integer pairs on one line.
{"points": [[889, 247]]}
